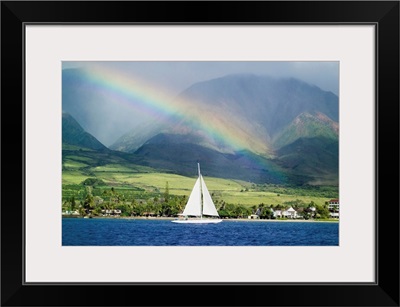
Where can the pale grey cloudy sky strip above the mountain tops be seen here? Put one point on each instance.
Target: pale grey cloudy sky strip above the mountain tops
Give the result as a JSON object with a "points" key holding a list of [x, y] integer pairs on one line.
{"points": [[322, 74]]}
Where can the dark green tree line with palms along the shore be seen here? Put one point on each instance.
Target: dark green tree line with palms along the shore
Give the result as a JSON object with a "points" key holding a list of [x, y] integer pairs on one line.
{"points": [[112, 202]]}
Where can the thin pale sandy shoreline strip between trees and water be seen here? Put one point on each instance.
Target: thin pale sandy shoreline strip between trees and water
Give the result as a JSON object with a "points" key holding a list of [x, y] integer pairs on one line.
{"points": [[228, 220]]}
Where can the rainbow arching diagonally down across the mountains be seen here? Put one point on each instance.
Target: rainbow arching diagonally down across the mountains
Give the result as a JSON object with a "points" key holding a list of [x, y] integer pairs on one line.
{"points": [[154, 100]]}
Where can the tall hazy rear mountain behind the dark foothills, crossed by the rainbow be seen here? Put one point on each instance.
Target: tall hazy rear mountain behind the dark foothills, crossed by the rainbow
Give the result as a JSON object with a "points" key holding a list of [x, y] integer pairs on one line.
{"points": [[255, 108]]}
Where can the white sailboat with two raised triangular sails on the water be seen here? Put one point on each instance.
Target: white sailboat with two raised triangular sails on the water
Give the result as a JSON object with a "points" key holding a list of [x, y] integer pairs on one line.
{"points": [[200, 208]]}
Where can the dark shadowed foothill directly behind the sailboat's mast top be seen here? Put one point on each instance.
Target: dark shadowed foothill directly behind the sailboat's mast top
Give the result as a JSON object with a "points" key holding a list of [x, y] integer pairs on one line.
{"points": [[177, 154]]}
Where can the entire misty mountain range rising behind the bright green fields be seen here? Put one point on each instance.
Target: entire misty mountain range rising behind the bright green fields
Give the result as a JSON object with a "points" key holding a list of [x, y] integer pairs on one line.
{"points": [[254, 128]]}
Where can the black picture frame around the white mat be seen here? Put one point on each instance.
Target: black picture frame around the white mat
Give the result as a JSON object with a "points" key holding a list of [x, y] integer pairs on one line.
{"points": [[383, 14]]}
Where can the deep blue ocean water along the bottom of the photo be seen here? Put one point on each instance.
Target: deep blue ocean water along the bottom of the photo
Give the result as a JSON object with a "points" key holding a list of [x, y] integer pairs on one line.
{"points": [[143, 232]]}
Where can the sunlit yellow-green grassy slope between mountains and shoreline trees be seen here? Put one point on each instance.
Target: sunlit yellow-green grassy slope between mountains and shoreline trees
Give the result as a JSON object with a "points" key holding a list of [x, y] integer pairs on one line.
{"points": [[103, 171]]}
